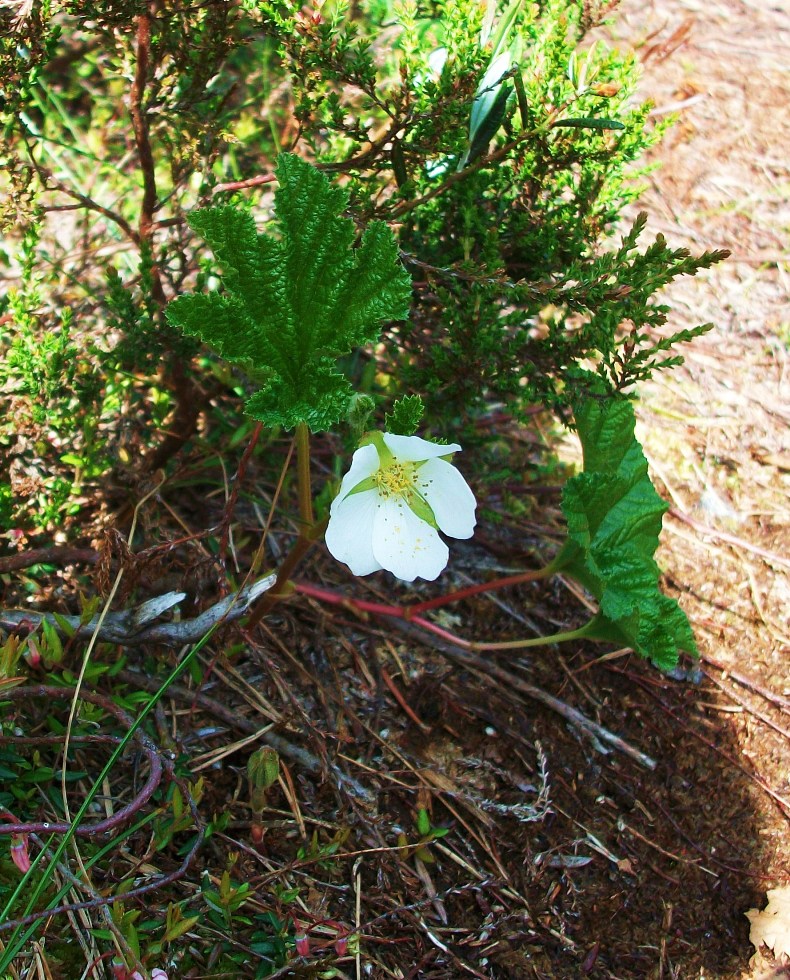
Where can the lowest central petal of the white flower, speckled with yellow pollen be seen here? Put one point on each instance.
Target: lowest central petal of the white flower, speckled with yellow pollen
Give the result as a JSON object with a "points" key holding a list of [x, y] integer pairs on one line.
{"points": [[405, 545]]}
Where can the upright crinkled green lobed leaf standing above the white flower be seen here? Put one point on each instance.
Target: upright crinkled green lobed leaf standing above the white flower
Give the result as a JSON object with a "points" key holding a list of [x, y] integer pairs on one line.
{"points": [[293, 304]]}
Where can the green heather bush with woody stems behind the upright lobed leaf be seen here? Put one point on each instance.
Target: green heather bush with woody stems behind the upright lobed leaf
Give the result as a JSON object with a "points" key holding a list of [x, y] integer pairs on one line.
{"points": [[498, 146]]}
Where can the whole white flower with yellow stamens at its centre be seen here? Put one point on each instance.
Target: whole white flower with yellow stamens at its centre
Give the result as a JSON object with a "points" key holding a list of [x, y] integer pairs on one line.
{"points": [[398, 494]]}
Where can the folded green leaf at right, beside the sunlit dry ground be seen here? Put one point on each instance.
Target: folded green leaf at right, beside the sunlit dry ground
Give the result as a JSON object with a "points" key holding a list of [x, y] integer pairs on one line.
{"points": [[614, 518]]}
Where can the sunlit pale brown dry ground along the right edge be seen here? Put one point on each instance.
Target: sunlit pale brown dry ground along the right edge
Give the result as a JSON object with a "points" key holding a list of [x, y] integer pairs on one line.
{"points": [[716, 430]]}
